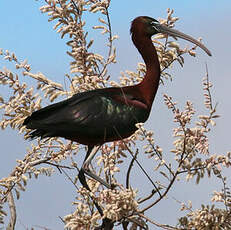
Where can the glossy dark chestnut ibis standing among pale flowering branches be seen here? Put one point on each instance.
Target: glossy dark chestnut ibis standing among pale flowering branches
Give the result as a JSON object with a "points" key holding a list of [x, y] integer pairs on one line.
{"points": [[95, 117]]}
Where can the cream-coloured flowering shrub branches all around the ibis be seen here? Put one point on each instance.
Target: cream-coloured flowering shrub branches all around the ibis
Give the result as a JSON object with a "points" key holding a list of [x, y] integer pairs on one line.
{"points": [[89, 70]]}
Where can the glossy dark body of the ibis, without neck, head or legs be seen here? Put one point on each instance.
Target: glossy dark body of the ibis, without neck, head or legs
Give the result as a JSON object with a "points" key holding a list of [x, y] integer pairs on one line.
{"points": [[91, 118]]}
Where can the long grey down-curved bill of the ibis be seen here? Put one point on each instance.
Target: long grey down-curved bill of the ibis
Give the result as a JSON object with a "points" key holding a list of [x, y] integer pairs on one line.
{"points": [[175, 33]]}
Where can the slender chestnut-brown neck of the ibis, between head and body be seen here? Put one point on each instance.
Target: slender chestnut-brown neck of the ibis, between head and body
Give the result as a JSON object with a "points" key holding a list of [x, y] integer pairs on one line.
{"points": [[149, 85]]}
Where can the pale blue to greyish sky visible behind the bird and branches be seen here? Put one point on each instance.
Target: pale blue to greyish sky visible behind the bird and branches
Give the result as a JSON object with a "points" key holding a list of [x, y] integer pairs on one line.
{"points": [[25, 31]]}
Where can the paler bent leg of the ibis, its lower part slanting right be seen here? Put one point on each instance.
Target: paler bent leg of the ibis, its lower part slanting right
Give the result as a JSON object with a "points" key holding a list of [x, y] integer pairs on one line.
{"points": [[85, 167]]}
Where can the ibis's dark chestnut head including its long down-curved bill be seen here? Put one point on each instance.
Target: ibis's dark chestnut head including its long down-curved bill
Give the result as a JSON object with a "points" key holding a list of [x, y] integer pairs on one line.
{"points": [[149, 26]]}
